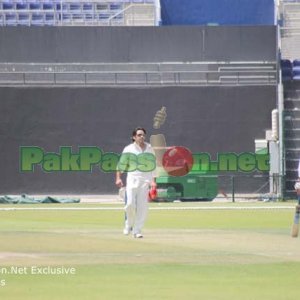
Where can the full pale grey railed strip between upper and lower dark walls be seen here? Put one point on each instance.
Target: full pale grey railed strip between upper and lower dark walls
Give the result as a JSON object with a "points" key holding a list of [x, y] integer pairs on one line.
{"points": [[197, 73]]}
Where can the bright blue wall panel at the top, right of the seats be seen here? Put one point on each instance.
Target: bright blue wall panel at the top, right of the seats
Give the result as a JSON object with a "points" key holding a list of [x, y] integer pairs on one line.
{"points": [[217, 12]]}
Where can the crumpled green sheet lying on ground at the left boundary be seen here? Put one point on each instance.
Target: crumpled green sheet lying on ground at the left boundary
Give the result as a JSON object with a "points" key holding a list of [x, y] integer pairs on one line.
{"points": [[25, 199]]}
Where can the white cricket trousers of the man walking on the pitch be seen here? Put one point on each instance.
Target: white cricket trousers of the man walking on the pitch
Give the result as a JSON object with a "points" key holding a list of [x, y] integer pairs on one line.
{"points": [[136, 207]]}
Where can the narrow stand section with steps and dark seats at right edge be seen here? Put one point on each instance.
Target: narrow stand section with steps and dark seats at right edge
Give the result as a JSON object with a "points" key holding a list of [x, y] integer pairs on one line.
{"points": [[289, 28]]}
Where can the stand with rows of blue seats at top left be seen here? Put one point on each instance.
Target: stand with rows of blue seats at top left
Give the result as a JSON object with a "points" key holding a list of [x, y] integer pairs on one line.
{"points": [[79, 13]]}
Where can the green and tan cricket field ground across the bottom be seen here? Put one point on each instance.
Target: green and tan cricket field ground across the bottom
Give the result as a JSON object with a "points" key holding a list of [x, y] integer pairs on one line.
{"points": [[215, 251]]}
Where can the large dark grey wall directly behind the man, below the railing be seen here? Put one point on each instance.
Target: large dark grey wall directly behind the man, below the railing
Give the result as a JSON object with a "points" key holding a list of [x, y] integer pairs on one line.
{"points": [[204, 119]]}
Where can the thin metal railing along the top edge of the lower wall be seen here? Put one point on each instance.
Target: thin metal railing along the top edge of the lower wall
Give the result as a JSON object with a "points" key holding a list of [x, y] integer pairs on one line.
{"points": [[137, 78]]}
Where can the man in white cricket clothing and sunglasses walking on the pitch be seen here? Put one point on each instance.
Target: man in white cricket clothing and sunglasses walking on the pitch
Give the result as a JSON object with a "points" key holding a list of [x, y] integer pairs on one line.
{"points": [[139, 161]]}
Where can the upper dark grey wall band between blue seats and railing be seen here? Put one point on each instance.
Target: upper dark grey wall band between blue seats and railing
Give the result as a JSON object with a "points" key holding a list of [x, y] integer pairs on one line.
{"points": [[137, 44]]}
